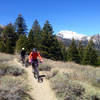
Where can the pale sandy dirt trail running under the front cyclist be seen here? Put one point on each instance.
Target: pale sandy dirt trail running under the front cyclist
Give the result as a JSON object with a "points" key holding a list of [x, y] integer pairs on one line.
{"points": [[40, 91]]}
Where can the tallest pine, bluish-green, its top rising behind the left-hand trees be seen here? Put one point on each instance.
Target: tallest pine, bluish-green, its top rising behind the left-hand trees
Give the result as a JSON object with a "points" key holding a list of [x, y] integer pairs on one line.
{"points": [[20, 25]]}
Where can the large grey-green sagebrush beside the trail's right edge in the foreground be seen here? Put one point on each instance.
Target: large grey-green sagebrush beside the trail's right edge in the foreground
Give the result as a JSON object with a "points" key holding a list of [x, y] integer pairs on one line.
{"points": [[67, 89]]}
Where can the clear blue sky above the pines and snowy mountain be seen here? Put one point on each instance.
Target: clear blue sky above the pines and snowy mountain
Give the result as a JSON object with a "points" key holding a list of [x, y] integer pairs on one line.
{"points": [[81, 16]]}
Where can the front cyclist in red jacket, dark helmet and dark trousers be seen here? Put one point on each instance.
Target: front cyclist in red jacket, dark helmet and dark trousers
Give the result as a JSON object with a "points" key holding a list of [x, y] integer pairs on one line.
{"points": [[34, 61]]}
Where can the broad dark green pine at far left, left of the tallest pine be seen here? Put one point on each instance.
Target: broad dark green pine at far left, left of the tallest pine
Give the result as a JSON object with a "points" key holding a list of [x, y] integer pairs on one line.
{"points": [[9, 38]]}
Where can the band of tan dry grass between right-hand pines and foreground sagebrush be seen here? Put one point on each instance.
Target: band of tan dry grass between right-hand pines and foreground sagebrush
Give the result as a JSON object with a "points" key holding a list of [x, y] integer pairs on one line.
{"points": [[75, 71]]}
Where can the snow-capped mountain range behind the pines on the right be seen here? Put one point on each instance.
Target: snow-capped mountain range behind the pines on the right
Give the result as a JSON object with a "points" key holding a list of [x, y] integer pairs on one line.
{"points": [[67, 36]]}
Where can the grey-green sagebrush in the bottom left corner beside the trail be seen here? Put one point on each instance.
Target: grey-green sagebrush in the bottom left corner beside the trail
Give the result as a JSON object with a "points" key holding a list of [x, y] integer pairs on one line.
{"points": [[13, 89]]}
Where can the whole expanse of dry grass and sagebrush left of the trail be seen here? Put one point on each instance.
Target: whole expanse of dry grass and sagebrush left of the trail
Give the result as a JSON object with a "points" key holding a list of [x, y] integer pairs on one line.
{"points": [[13, 80]]}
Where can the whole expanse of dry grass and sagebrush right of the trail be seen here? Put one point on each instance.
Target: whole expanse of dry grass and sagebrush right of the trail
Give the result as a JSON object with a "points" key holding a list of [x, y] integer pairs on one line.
{"points": [[72, 81]]}
